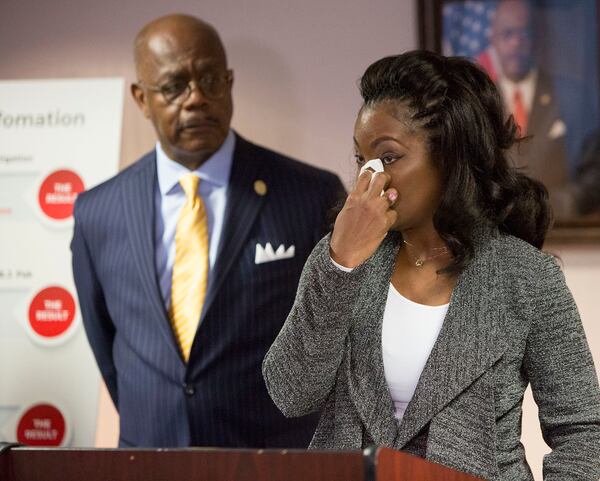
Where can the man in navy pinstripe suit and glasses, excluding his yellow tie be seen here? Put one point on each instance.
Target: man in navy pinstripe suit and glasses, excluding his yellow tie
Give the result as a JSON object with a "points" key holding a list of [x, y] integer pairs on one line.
{"points": [[265, 213]]}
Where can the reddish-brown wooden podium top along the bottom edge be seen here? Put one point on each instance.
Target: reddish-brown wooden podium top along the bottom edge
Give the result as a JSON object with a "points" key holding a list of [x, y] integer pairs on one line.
{"points": [[199, 464]]}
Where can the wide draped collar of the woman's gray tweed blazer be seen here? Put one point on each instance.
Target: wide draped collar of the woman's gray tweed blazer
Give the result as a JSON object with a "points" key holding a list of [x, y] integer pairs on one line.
{"points": [[468, 344]]}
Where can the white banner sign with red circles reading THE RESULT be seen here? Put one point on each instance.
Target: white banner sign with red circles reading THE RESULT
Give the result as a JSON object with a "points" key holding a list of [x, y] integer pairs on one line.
{"points": [[57, 138]]}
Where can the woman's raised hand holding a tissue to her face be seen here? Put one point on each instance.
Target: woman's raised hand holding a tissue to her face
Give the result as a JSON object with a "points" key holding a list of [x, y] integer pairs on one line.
{"points": [[364, 221]]}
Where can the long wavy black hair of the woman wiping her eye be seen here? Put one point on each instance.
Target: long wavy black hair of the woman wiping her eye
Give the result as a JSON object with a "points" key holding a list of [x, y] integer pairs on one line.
{"points": [[459, 107]]}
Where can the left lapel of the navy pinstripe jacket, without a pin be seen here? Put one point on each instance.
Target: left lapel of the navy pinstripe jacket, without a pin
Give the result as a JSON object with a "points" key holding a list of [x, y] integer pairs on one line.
{"points": [[139, 207]]}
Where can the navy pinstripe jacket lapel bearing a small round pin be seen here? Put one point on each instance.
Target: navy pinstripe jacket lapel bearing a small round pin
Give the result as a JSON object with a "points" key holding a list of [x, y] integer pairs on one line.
{"points": [[243, 206]]}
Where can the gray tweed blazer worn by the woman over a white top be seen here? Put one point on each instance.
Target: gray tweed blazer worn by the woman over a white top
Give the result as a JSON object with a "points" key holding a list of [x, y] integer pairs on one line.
{"points": [[511, 321]]}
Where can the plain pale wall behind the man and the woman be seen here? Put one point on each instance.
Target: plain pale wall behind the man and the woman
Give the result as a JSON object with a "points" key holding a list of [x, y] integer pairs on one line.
{"points": [[296, 68]]}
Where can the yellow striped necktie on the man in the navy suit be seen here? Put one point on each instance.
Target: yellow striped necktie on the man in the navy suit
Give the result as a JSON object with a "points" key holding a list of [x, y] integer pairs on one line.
{"points": [[190, 270]]}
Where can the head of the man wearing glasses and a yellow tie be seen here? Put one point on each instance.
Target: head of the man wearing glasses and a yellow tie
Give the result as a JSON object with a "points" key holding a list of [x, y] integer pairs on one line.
{"points": [[184, 86]]}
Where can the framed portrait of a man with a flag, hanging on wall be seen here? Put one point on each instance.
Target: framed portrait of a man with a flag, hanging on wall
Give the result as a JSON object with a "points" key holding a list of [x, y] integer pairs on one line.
{"points": [[543, 56]]}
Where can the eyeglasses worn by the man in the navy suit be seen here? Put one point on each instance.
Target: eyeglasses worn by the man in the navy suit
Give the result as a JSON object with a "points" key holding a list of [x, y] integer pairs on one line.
{"points": [[176, 91]]}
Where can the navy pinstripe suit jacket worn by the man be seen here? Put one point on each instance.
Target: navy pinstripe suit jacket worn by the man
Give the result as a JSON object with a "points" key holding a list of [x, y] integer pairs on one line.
{"points": [[218, 398]]}
